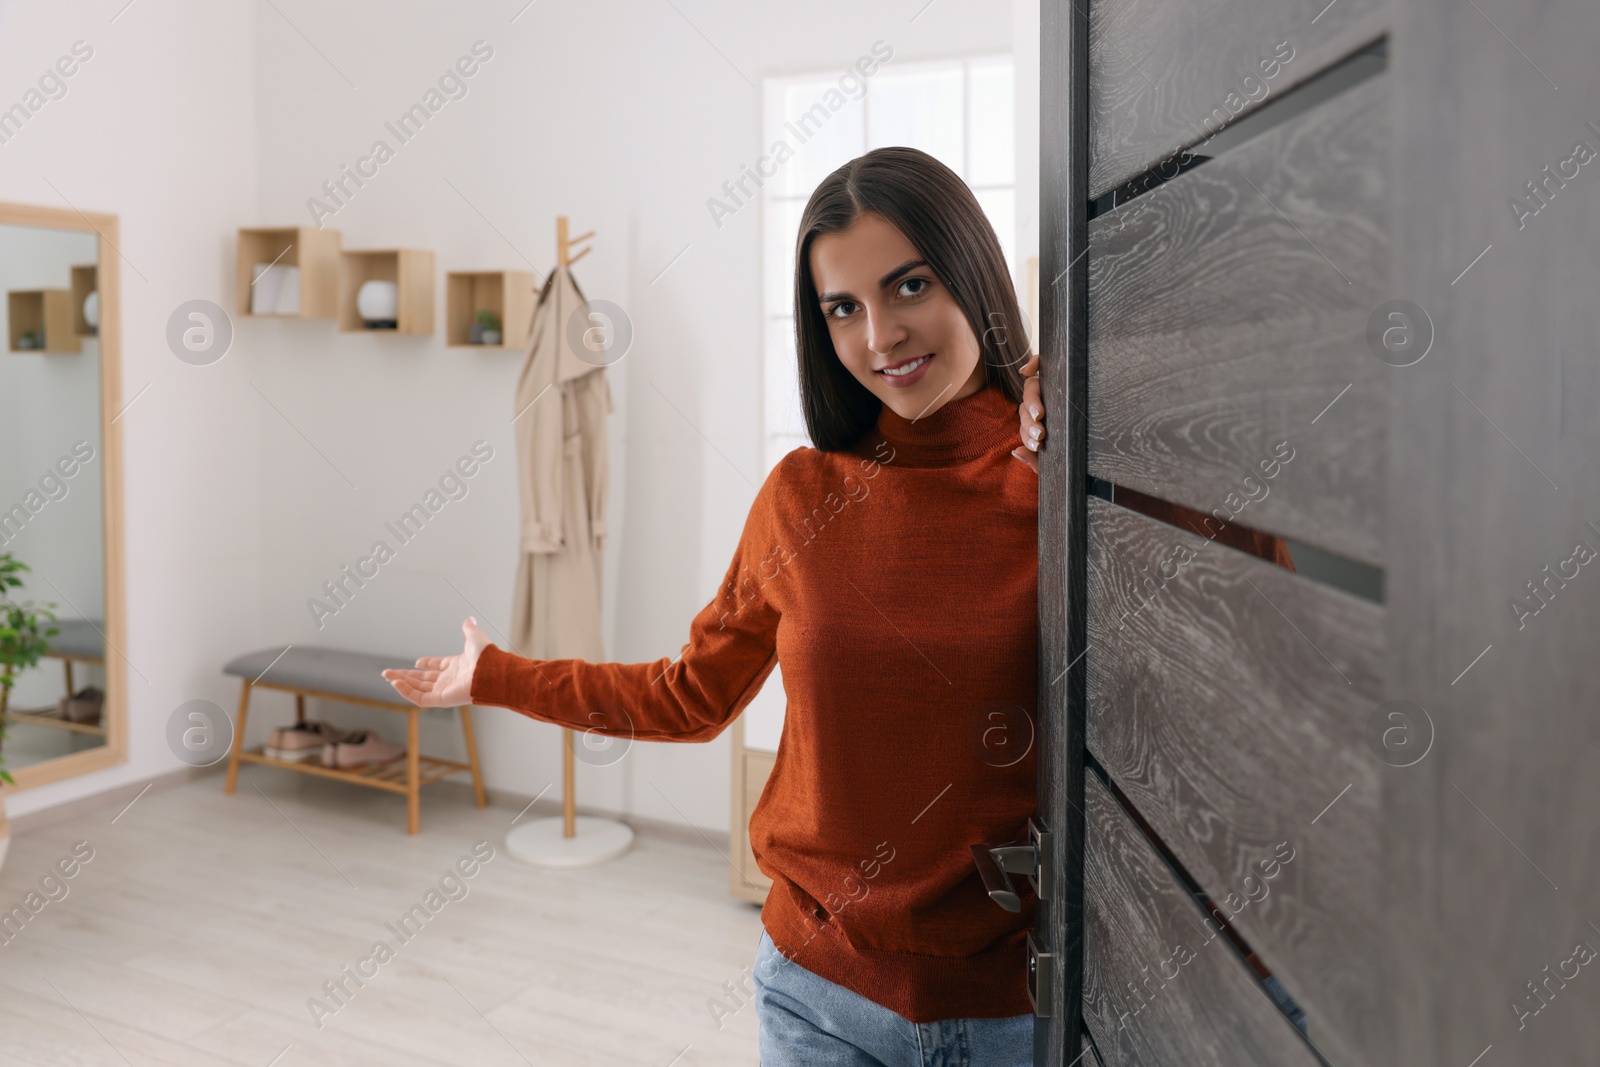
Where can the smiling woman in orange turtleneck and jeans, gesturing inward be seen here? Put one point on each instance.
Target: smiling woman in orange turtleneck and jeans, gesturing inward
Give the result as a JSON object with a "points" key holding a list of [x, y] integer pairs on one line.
{"points": [[894, 572]]}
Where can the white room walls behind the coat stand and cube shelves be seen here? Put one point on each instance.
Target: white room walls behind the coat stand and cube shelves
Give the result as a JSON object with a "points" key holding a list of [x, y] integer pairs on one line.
{"points": [[625, 118]]}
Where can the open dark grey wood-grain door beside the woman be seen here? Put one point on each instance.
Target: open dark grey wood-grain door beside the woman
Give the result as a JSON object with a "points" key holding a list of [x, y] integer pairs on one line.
{"points": [[1322, 271]]}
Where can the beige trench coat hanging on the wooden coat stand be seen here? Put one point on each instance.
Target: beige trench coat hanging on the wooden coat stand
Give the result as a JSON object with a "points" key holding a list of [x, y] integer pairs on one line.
{"points": [[562, 470]]}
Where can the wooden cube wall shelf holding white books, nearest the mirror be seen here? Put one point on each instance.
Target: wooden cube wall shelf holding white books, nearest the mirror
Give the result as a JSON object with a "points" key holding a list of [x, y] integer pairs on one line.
{"points": [[300, 266]]}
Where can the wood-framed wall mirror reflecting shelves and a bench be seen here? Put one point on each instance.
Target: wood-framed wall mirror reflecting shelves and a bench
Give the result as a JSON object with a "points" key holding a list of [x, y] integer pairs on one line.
{"points": [[63, 693]]}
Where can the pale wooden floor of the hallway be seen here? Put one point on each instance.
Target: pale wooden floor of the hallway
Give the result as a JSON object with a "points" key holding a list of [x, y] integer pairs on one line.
{"points": [[204, 924]]}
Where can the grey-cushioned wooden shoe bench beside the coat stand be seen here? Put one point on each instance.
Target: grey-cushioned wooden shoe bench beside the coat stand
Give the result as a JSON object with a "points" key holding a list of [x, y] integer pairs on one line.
{"points": [[354, 679]]}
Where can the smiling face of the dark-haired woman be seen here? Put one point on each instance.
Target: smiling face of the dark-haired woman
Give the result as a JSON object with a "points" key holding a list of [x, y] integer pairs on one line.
{"points": [[886, 310]]}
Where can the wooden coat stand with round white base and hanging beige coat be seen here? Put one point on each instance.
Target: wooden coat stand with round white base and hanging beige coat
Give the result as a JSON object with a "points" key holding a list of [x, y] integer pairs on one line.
{"points": [[562, 535]]}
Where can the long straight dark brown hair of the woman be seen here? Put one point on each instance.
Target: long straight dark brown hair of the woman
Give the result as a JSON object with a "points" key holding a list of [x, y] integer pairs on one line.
{"points": [[940, 217]]}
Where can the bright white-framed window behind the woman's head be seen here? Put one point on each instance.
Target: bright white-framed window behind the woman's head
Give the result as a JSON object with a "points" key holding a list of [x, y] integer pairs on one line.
{"points": [[959, 111]]}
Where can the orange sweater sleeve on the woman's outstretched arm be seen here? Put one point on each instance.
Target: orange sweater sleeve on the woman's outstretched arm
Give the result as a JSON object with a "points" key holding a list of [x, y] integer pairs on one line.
{"points": [[690, 697]]}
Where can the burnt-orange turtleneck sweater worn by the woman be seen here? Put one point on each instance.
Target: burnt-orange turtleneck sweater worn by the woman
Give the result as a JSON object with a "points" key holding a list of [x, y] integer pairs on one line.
{"points": [[897, 583]]}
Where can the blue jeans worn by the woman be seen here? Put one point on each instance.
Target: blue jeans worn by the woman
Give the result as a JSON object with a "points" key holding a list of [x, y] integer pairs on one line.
{"points": [[810, 1021]]}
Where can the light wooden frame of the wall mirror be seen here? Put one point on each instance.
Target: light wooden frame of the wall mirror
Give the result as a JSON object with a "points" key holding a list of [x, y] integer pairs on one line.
{"points": [[116, 706]]}
